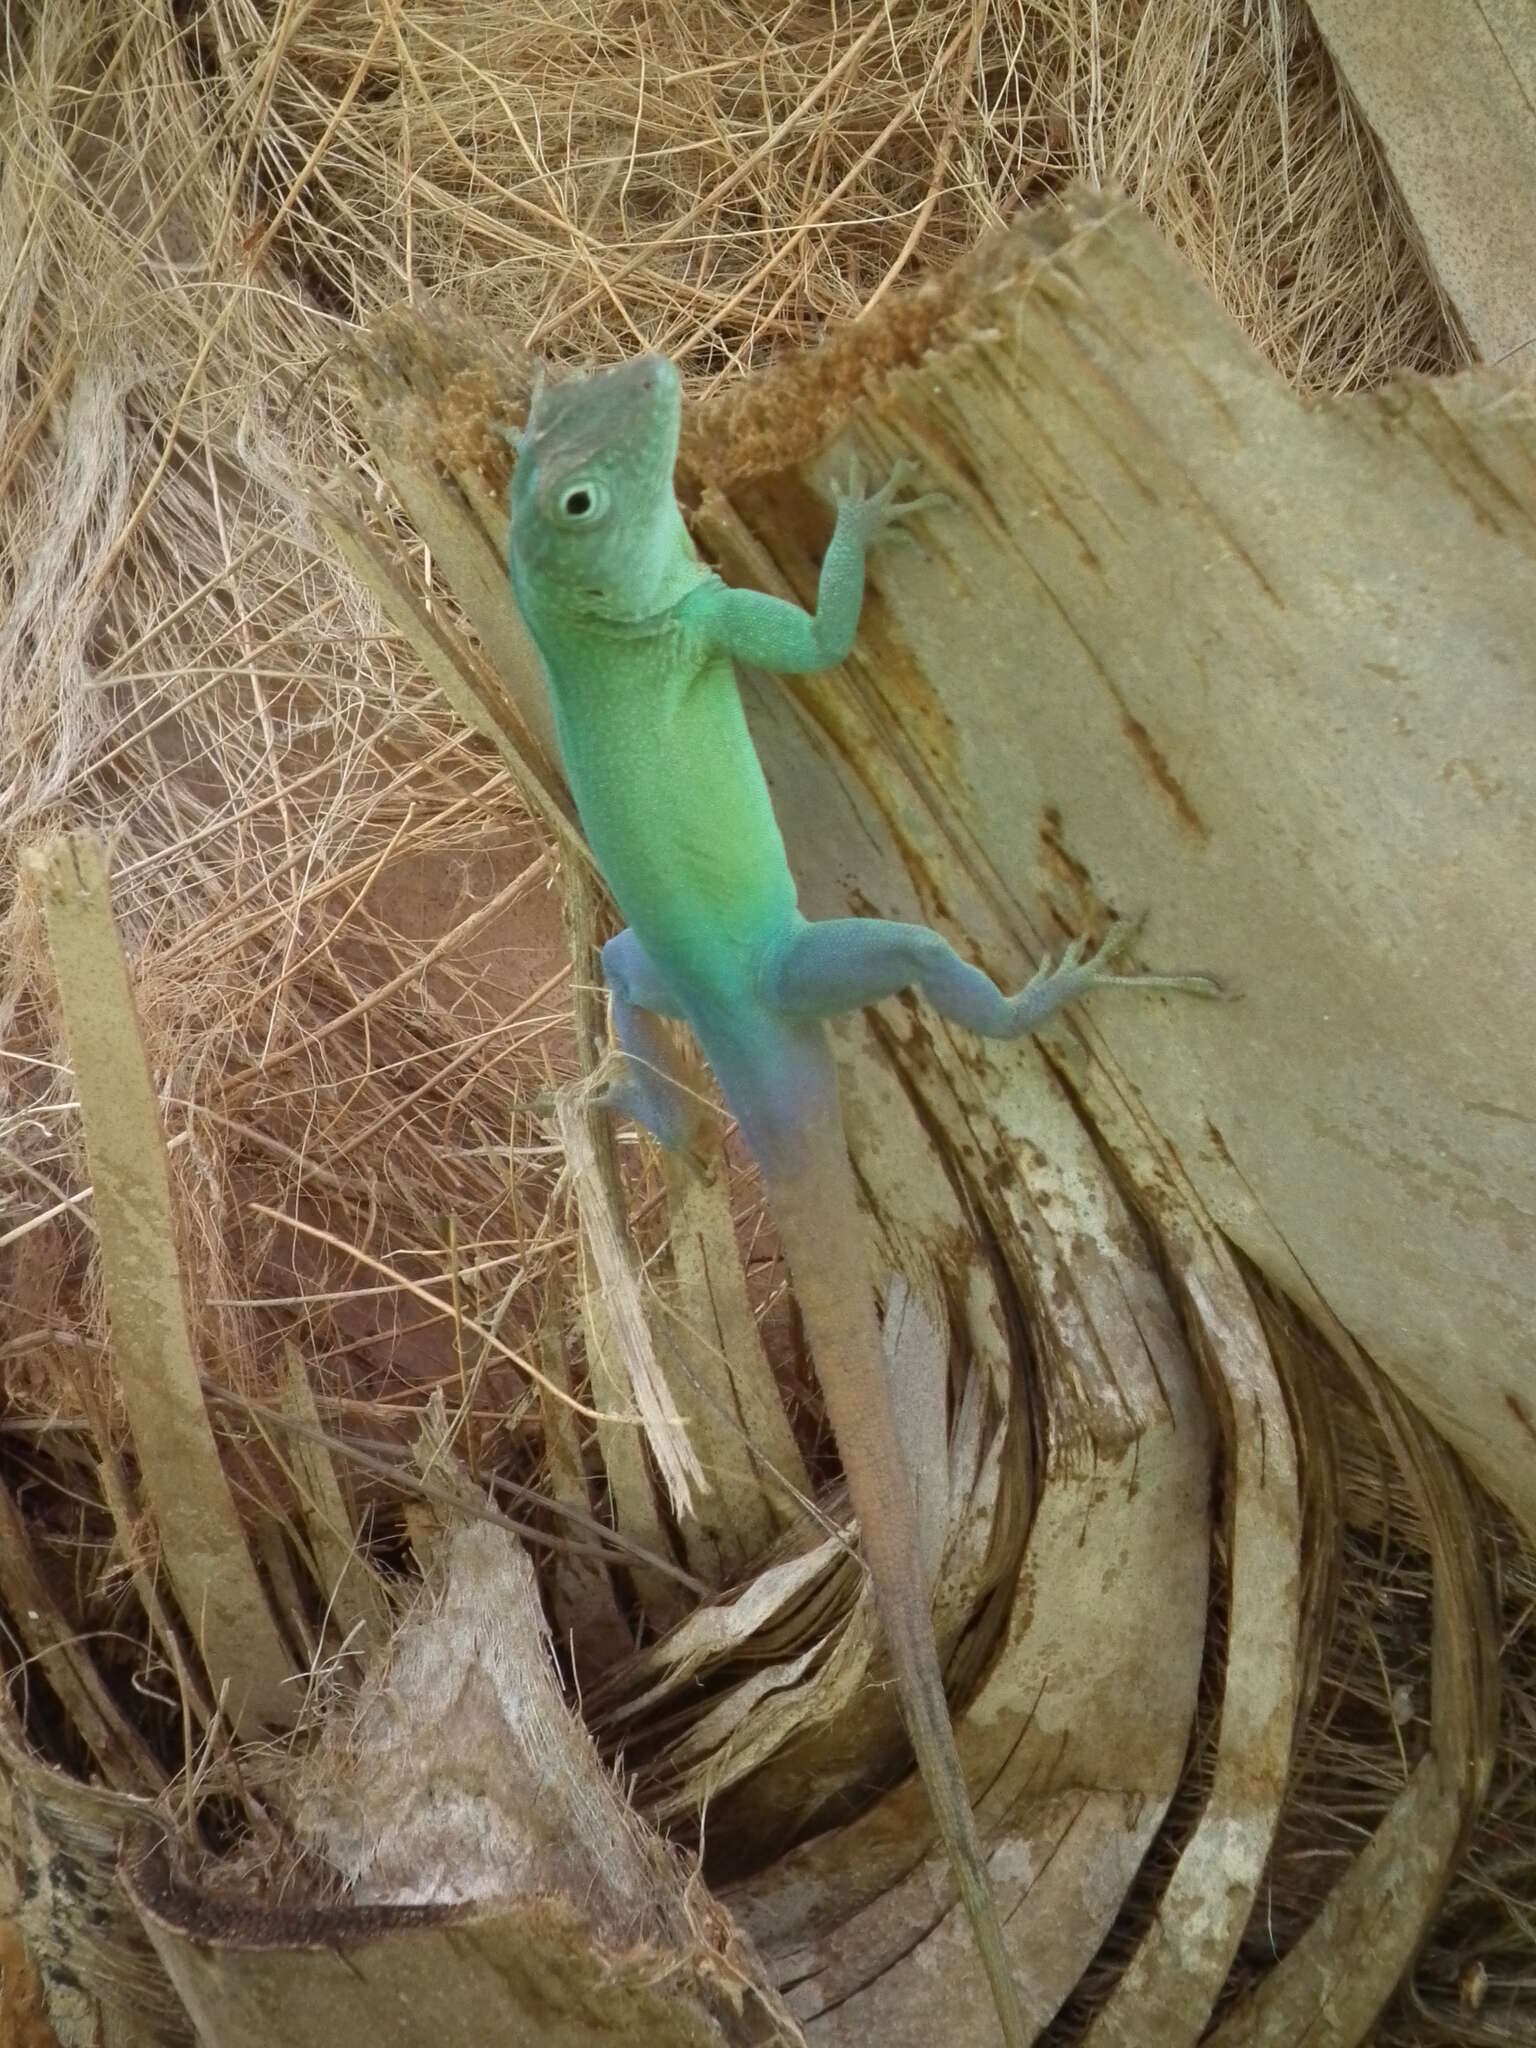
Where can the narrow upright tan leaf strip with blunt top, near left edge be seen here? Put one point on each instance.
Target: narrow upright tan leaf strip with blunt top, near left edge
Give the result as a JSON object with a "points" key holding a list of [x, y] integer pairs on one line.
{"points": [[185, 1488]]}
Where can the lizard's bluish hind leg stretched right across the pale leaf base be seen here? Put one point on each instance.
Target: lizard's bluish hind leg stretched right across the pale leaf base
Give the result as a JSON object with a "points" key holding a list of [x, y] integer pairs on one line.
{"points": [[845, 964]]}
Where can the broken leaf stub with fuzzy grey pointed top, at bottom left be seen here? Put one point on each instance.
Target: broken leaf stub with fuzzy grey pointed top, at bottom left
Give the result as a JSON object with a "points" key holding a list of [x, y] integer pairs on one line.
{"points": [[507, 1891]]}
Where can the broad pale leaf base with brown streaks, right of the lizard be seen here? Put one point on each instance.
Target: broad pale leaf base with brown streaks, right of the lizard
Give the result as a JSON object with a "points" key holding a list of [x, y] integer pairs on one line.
{"points": [[1265, 669]]}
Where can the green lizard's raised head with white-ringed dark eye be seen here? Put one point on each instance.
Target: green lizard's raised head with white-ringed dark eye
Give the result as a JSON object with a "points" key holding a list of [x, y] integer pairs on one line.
{"points": [[595, 525]]}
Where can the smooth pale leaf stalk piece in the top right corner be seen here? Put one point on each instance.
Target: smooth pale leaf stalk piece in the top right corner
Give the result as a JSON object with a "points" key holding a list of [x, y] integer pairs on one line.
{"points": [[1465, 153]]}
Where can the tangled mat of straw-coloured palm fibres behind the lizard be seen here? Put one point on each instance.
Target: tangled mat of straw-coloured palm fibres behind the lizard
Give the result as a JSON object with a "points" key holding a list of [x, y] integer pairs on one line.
{"points": [[196, 206]]}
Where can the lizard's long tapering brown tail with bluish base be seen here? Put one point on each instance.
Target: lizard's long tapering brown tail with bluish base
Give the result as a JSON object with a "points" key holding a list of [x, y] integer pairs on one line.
{"points": [[814, 1203]]}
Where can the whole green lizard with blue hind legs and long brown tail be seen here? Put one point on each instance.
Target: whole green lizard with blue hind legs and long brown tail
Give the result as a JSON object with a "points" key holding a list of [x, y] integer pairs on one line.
{"points": [[638, 642]]}
